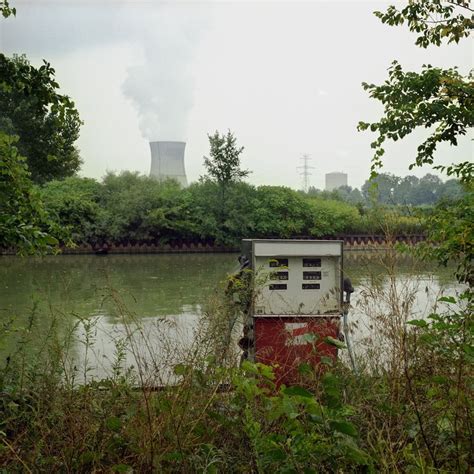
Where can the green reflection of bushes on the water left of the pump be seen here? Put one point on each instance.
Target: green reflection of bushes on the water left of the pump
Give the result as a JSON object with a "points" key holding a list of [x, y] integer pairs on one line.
{"points": [[150, 285]]}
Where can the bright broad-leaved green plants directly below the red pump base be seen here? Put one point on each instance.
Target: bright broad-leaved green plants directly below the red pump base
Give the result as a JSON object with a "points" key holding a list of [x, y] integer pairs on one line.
{"points": [[293, 429]]}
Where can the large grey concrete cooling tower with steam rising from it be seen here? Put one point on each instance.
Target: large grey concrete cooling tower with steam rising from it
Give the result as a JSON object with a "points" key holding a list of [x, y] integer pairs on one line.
{"points": [[167, 161]]}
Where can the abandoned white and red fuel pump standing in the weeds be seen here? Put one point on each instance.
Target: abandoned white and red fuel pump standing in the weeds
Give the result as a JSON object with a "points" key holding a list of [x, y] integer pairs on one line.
{"points": [[297, 302]]}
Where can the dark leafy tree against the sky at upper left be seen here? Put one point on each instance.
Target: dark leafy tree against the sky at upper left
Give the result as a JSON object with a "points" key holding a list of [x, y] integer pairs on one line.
{"points": [[46, 122]]}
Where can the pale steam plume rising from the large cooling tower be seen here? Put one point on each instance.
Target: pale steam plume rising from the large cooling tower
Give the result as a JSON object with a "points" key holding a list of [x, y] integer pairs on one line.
{"points": [[161, 88]]}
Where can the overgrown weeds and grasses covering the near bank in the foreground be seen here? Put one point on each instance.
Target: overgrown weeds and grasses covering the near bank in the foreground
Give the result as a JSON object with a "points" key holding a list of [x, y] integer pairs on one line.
{"points": [[406, 415]]}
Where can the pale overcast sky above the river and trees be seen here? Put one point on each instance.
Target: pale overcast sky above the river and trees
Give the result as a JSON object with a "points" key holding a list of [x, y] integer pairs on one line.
{"points": [[285, 77]]}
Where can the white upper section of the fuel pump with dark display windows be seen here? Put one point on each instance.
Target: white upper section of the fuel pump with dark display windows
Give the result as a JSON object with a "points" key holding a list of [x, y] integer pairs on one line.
{"points": [[296, 277]]}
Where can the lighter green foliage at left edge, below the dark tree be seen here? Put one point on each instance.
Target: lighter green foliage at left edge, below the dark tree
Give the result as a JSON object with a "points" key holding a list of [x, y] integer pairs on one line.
{"points": [[24, 223]]}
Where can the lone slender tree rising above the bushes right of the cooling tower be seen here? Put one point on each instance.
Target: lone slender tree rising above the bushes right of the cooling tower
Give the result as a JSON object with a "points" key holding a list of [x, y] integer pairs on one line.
{"points": [[223, 165]]}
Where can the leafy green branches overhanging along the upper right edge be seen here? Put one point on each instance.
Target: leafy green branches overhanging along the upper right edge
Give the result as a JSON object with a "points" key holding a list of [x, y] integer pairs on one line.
{"points": [[435, 98]]}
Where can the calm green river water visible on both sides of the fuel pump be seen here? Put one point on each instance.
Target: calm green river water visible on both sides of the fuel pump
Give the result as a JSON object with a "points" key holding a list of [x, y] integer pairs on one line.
{"points": [[91, 302]]}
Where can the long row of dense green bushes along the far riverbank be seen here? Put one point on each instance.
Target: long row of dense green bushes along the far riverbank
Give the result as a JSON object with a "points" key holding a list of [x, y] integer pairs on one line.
{"points": [[133, 208]]}
